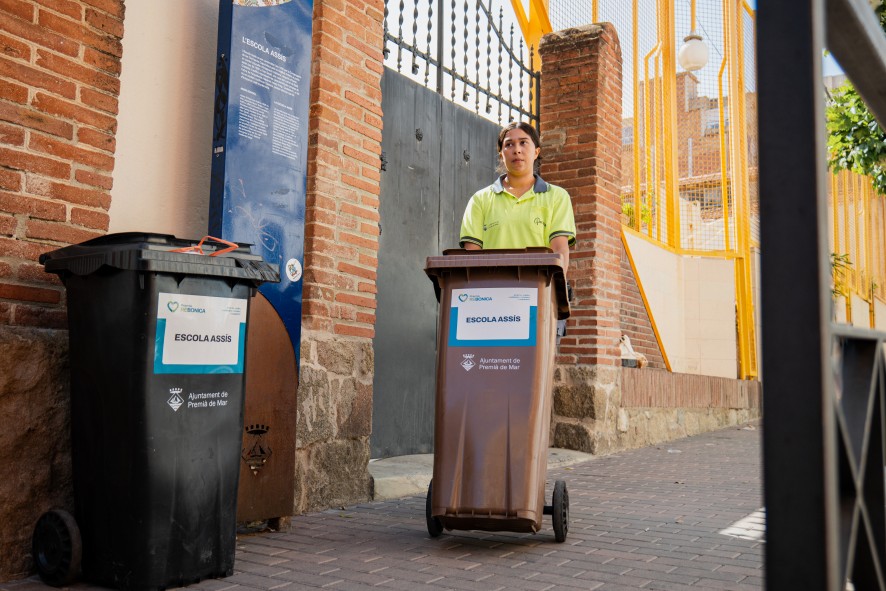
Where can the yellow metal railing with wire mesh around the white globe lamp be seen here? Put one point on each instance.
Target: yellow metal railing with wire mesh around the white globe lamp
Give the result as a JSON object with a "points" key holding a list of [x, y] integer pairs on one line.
{"points": [[689, 138]]}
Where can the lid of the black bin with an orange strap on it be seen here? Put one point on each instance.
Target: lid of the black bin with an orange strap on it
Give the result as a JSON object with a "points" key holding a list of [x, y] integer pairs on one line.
{"points": [[149, 252]]}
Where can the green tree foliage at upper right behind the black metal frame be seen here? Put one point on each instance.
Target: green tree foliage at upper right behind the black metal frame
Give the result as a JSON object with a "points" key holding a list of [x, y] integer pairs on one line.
{"points": [[856, 141]]}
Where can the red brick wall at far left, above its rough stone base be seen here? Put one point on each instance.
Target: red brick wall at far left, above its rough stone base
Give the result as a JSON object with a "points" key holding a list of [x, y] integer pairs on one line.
{"points": [[59, 84]]}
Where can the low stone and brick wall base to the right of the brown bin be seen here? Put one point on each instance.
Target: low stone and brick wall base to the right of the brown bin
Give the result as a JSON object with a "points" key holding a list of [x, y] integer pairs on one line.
{"points": [[601, 410]]}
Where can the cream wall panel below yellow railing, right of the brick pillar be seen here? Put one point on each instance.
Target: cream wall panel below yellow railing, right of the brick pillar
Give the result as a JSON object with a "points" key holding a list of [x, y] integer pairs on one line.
{"points": [[692, 302]]}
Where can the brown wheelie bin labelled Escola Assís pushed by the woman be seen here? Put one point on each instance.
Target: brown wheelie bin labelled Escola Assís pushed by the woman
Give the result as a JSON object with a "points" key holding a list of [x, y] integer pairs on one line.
{"points": [[496, 340]]}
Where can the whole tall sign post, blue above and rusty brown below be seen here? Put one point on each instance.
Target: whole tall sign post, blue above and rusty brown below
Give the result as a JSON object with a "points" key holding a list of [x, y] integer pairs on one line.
{"points": [[257, 196]]}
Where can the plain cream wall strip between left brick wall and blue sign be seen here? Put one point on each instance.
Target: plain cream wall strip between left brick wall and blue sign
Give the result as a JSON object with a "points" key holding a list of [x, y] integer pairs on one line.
{"points": [[164, 135]]}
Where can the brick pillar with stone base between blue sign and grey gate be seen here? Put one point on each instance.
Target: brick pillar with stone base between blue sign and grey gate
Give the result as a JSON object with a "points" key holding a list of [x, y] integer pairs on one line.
{"points": [[341, 255]]}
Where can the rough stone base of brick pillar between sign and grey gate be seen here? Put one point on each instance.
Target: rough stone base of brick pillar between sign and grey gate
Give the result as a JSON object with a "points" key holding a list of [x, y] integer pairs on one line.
{"points": [[334, 422]]}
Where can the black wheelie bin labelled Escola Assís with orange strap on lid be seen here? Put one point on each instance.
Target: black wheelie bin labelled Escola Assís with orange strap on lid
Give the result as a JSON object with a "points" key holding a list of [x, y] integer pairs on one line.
{"points": [[157, 333]]}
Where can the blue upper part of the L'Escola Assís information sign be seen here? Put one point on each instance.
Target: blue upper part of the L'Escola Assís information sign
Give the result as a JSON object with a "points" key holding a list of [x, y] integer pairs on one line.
{"points": [[260, 137]]}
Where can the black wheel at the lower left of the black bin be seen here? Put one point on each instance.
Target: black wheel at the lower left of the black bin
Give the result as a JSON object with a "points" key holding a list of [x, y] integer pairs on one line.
{"points": [[57, 548]]}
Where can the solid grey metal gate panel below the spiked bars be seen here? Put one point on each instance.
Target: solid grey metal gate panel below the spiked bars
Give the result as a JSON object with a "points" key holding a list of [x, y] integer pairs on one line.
{"points": [[435, 155]]}
